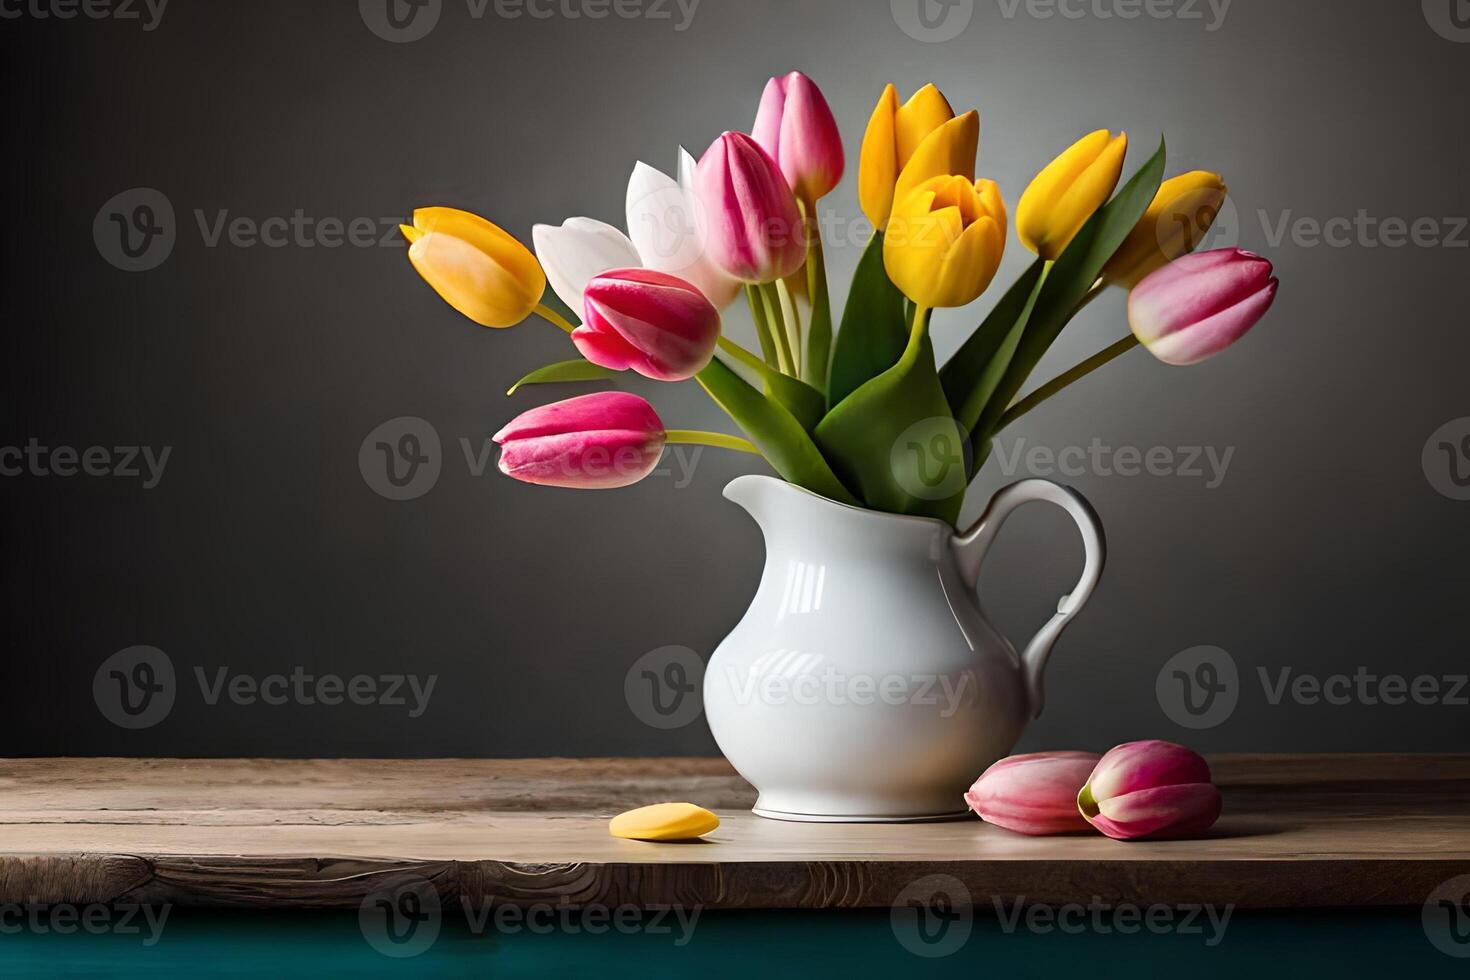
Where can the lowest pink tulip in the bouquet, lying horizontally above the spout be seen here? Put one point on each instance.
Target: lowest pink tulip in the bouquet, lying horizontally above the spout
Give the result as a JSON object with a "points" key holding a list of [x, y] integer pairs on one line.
{"points": [[600, 442]]}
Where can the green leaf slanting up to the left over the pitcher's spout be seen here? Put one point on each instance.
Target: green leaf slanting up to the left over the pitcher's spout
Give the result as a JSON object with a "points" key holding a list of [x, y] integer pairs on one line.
{"points": [[775, 431]]}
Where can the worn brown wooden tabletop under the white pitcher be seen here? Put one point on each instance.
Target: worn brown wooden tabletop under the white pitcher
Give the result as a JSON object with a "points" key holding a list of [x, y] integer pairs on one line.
{"points": [[1299, 831]]}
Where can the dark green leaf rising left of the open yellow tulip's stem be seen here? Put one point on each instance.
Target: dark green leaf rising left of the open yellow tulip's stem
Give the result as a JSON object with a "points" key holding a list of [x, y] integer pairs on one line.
{"points": [[872, 336]]}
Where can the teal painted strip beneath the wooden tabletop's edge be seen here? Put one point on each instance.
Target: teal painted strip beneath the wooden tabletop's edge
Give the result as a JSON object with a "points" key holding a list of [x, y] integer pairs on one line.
{"points": [[746, 945]]}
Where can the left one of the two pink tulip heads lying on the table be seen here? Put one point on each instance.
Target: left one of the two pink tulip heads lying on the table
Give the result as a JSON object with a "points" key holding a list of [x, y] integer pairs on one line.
{"points": [[1034, 794]]}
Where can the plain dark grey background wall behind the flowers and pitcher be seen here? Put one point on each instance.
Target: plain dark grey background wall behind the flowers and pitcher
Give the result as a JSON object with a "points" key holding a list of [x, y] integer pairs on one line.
{"points": [[1327, 549]]}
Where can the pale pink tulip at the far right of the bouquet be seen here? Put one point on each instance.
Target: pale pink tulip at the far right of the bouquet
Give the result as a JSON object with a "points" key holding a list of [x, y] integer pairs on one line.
{"points": [[1199, 305]]}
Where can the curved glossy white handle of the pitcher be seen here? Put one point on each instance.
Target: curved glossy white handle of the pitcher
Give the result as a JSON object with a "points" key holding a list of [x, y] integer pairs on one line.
{"points": [[972, 546]]}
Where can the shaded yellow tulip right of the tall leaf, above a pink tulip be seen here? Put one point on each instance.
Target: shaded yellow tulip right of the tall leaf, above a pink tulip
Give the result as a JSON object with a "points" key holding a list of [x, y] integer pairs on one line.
{"points": [[1172, 227]]}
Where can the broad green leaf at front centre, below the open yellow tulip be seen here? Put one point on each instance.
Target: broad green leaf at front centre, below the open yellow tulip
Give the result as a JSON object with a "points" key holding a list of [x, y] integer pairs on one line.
{"points": [[896, 442]]}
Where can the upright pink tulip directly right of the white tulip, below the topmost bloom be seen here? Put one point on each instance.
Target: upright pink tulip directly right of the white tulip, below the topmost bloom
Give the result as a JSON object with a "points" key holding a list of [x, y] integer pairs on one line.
{"points": [[755, 226]]}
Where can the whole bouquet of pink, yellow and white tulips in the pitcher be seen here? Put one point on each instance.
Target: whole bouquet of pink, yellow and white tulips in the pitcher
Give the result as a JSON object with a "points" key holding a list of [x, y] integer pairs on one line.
{"points": [[839, 412]]}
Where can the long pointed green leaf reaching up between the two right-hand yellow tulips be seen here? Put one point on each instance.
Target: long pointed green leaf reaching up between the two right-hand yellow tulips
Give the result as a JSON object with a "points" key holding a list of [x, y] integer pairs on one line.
{"points": [[1068, 286]]}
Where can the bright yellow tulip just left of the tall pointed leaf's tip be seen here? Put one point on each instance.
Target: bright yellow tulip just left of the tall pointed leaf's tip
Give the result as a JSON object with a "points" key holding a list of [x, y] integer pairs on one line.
{"points": [[1068, 192]]}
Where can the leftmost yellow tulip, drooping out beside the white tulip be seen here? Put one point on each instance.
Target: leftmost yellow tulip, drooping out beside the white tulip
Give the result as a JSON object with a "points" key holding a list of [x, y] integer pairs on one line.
{"points": [[477, 268]]}
